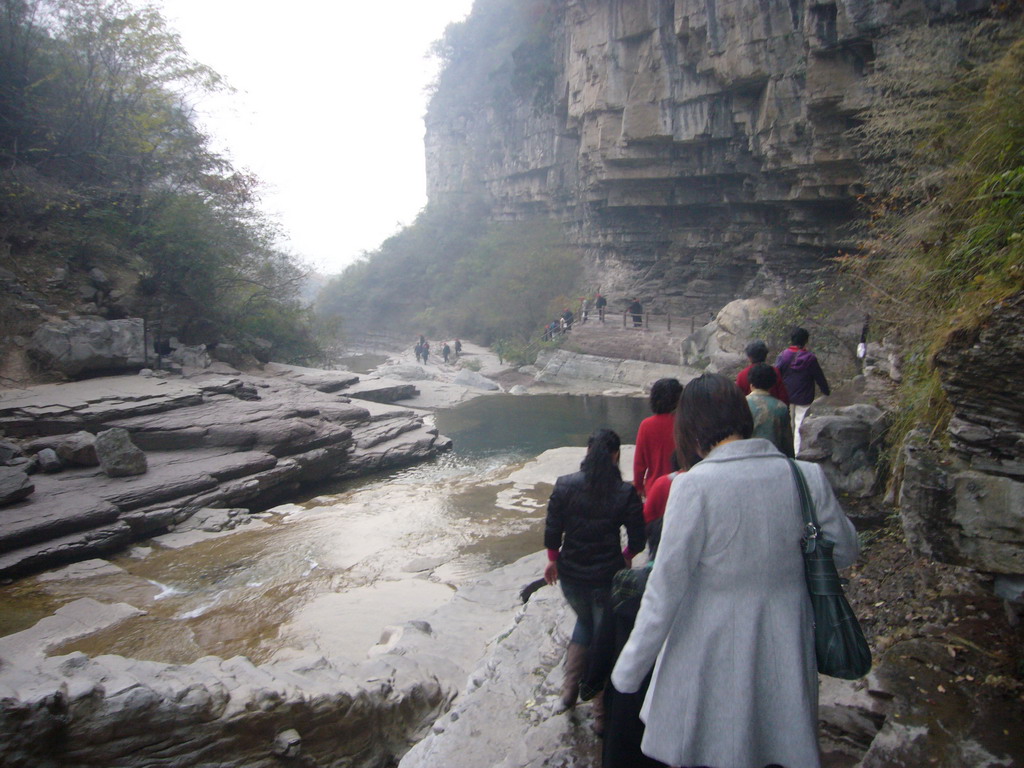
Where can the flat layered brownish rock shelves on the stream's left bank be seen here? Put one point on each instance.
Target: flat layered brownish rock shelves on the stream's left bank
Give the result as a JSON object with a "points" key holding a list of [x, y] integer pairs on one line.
{"points": [[208, 443]]}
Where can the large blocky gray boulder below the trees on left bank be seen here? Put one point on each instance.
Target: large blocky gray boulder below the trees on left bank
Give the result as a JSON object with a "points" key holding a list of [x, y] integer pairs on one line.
{"points": [[81, 347]]}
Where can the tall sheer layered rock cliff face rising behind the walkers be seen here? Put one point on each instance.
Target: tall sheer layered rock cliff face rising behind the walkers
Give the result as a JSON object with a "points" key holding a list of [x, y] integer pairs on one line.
{"points": [[698, 148]]}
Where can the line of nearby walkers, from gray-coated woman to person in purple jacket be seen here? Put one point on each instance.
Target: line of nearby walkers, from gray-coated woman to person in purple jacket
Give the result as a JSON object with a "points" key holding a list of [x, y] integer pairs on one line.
{"points": [[705, 656]]}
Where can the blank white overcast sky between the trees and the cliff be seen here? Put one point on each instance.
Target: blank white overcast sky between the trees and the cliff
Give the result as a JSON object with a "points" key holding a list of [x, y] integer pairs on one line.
{"points": [[328, 110]]}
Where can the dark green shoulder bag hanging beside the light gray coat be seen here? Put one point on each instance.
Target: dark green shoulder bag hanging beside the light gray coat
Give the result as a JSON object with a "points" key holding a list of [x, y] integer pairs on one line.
{"points": [[839, 644]]}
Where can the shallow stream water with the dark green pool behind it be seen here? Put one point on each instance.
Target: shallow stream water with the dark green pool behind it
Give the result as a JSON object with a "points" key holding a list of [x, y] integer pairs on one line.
{"points": [[327, 574]]}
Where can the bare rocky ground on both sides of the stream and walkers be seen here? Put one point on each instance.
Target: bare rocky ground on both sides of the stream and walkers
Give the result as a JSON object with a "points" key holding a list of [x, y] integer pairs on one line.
{"points": [[468, 685]]}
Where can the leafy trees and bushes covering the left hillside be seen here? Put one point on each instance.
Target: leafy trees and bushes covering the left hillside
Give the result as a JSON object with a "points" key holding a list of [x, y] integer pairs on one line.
{"points": [[102, 165]]}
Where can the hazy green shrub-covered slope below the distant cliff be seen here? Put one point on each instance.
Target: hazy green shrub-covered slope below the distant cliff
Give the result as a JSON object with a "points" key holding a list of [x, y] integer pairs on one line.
{"points": [[455, 273]]}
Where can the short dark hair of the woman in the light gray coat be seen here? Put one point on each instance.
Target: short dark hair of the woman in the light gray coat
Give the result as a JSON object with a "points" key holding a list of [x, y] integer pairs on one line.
{"points": [[711, 409]]}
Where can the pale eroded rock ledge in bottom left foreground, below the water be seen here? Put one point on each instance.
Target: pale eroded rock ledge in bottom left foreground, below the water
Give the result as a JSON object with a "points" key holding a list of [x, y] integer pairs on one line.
{"points": [[77, 711]]}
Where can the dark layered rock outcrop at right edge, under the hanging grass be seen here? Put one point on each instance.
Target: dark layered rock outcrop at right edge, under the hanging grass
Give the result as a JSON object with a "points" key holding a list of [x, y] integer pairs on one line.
{"points": [[965, 506]]}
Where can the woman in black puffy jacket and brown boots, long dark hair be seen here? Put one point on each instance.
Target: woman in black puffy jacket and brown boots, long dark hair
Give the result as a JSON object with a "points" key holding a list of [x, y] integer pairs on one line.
{"points": [[586, 513]]}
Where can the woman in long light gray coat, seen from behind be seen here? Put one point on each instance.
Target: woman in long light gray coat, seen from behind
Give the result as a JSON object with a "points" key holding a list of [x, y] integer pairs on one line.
{"points": [[727, 613]]}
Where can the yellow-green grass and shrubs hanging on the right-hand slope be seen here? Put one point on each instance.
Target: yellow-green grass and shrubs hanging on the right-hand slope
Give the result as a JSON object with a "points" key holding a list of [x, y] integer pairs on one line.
{"points": [[946, 242]]}
